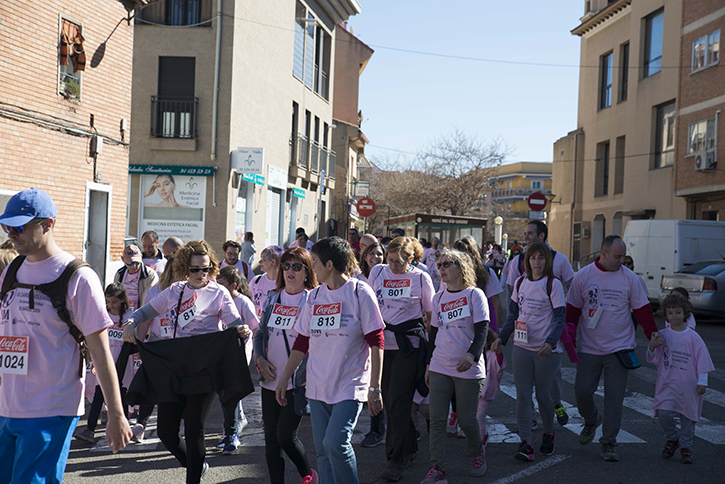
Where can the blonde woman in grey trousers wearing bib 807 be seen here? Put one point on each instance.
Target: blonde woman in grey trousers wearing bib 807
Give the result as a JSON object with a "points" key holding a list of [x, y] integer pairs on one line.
{"points": [[455, 362]]}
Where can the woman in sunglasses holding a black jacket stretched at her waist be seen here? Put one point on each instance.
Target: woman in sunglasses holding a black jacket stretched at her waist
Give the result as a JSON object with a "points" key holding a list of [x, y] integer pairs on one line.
{"points": [[199, 306]]}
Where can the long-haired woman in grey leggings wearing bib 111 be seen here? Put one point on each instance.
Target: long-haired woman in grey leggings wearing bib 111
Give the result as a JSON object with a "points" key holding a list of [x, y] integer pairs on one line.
{"points": [[536, 320]]}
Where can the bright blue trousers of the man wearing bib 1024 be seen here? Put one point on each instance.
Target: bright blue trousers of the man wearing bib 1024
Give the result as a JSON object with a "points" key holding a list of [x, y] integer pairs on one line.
{"points": [[35, 450]]}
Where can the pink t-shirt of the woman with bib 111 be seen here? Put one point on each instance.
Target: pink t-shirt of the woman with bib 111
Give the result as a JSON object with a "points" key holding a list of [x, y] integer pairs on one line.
{"points": [[536, 311]]}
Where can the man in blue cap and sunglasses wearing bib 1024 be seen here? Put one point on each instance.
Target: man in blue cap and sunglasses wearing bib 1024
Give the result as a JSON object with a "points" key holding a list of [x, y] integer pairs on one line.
{"points": [[41, 396]]}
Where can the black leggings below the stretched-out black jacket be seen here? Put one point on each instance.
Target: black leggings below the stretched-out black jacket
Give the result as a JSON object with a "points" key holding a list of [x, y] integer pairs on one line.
{"points": [[190, 454]]}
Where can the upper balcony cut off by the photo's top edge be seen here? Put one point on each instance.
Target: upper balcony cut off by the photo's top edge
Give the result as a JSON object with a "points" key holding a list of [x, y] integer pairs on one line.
{"points": [[192, 13]]}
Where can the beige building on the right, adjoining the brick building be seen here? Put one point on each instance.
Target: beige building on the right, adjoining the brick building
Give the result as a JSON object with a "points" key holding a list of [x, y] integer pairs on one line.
{"points": [[619, 164]]}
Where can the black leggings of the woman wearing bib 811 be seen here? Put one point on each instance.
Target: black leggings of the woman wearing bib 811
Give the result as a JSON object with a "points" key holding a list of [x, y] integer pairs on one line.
{"points": [[280, 434]]}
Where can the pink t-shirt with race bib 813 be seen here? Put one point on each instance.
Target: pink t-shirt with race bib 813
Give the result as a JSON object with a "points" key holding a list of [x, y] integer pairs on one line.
{"points": [[338, 367]]}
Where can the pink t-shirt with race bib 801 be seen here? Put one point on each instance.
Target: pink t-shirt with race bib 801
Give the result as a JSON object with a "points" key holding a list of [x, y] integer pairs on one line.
{"points": [[401, 297]]}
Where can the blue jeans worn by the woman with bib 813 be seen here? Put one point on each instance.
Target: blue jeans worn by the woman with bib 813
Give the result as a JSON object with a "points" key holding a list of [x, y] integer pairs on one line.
{"points": [[332, 427]]}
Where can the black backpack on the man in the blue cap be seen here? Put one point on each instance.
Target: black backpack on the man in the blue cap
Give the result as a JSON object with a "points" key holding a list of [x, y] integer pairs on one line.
{"points": [[56, 292]]}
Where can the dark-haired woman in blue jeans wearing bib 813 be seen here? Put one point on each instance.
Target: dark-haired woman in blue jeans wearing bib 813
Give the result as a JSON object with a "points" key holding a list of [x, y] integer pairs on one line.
{"points": [[340, 325]]}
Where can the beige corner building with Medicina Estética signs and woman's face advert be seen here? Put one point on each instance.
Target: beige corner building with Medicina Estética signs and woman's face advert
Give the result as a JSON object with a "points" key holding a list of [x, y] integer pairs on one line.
{"points": [[234, 101]]}
